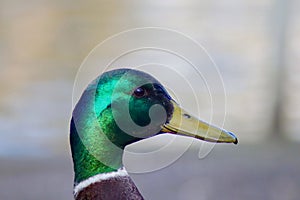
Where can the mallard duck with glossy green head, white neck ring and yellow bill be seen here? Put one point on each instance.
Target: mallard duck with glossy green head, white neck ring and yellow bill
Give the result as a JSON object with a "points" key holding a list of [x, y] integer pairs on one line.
{"points": [[118, 108]]}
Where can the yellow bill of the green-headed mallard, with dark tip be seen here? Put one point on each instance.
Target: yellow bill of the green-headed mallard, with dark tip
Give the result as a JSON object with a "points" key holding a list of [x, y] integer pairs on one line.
{"points": [[182, 123]]}
